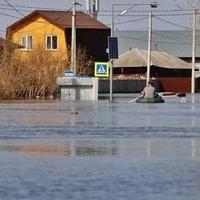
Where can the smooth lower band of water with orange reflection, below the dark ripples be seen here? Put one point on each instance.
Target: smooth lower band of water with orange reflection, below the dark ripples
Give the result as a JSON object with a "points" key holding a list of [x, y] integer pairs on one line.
{"points": [[144, 148]]}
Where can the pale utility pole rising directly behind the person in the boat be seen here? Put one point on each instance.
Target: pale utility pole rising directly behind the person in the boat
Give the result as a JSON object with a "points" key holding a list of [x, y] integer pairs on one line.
{"points": [[149, 48]]}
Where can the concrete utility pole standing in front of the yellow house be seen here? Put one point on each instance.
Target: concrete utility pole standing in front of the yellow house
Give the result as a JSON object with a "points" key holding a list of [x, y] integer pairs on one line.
{"points": [[73, 38]]}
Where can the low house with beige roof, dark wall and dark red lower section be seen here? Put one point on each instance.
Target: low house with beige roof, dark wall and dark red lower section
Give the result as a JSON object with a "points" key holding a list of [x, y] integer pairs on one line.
{"points": [[170, 72]]}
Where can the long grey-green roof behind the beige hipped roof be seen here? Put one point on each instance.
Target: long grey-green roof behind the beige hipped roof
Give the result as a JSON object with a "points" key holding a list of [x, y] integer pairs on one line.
{"points": [[177, 42]]}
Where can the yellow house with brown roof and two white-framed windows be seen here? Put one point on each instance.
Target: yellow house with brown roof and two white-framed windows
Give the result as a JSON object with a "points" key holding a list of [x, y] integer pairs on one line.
{"points": [[52, 30]]}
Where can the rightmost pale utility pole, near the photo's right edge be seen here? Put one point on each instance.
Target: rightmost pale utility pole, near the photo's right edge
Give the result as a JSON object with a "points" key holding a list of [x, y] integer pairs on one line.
{"points": [[193, 51]]}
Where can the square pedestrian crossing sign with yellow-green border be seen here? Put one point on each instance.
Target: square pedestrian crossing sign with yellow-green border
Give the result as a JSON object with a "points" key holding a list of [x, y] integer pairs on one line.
{"points": [[101, 69]]}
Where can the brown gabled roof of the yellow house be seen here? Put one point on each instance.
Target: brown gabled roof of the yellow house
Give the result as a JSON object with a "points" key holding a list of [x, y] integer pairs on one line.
{"points": [[63, 19]]}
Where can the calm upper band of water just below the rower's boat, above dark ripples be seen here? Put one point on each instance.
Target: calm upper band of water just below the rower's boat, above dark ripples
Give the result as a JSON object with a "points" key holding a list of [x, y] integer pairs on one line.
{"points": [[120, 114]]}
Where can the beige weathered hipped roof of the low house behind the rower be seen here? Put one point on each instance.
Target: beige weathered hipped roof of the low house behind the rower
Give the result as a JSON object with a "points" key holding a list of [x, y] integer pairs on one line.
{"points": [[138, 58]]}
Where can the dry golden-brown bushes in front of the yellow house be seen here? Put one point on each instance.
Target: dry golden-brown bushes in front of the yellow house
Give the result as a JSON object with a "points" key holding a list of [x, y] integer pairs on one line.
{"points": [[34, 75]]}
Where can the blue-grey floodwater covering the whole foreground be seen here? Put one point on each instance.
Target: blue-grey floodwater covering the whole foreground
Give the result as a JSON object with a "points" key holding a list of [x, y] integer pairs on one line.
{"points": [[99, 150]]}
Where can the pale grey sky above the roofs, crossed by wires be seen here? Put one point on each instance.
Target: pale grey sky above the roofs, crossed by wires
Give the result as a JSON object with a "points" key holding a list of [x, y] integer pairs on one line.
{"points": [[170, 14]]}
